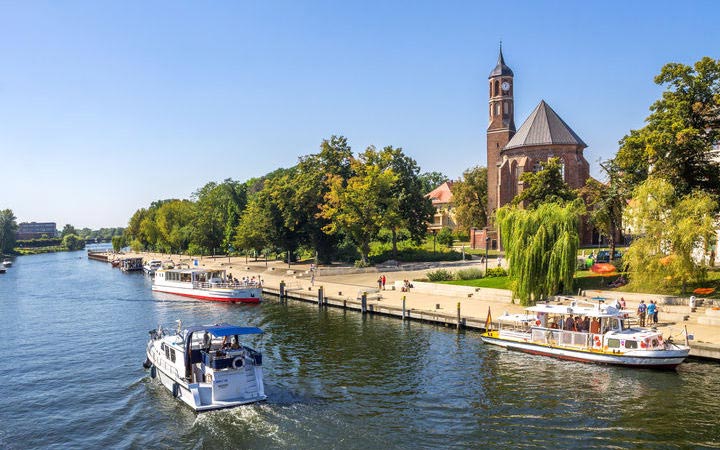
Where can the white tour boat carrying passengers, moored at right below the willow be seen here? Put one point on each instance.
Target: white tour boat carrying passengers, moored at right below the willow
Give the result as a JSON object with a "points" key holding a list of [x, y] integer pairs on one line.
{"points": [[601, 334]]}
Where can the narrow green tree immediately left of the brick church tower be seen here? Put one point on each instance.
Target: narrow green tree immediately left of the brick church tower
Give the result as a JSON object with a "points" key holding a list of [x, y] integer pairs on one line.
{"points": [[470, 199]]}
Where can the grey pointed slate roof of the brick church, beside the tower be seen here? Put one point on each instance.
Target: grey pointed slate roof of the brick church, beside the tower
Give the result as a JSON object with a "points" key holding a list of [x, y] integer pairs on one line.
{"points": [[544, 127]]}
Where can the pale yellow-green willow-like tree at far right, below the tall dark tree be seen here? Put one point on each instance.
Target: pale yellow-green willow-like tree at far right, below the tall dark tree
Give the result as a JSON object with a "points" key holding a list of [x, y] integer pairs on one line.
{"points": [[669, 230]]}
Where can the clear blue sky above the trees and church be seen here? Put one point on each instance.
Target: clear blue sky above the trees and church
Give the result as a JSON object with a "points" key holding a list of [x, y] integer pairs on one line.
{"points": [[107, 106]]}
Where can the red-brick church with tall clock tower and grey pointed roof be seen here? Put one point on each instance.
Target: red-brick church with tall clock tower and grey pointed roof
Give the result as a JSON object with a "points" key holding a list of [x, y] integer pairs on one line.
{"points": [[512, 152]]}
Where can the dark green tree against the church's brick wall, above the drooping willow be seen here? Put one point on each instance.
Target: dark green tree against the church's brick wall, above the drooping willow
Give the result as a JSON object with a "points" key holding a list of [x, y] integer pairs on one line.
{"points": [[544, 186]]}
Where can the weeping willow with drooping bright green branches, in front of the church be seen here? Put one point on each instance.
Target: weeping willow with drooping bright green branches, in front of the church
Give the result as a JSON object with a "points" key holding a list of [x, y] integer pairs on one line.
{"points": [[541, 248]]}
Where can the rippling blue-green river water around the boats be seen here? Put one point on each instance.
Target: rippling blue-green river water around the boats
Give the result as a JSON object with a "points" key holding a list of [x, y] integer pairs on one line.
{"points": [[74, 331]]}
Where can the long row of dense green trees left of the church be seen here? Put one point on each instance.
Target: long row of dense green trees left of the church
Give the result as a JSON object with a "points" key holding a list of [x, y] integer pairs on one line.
{"points": [[332, 204]]}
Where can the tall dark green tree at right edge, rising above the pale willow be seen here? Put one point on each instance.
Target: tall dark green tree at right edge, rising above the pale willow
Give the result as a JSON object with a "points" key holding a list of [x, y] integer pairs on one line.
{"points": [[677, 141]]}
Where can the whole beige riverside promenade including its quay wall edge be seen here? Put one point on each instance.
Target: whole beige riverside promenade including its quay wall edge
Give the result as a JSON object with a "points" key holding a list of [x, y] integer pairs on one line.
{"points": [[447, 305]]}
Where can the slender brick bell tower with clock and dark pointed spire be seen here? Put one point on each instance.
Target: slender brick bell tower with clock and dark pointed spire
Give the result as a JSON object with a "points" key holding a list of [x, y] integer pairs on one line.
{"points": [[501, 126]]}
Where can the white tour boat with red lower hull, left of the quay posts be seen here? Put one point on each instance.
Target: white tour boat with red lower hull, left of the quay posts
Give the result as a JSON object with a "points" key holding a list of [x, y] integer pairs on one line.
{"points": [[206, 284]]}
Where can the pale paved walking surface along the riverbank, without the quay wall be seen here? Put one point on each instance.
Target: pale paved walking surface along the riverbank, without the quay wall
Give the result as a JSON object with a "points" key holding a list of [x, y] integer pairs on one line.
{"points": [[347, 282]]}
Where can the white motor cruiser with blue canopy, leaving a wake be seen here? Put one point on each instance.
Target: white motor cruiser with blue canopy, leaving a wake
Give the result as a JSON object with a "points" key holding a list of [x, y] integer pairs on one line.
{"points": [[206, 366]]}
